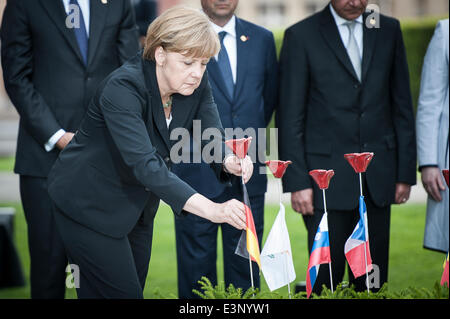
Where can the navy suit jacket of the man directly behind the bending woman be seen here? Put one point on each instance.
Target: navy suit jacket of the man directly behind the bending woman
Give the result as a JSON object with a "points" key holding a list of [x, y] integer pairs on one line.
{"points": [[251, 107]]}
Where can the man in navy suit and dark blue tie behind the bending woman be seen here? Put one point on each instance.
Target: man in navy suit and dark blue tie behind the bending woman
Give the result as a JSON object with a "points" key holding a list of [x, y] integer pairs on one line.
{"points": [[243, 78]]}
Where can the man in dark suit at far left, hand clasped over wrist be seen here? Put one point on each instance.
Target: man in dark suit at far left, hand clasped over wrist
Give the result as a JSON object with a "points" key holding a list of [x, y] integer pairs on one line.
{"points": [[54, 54]]}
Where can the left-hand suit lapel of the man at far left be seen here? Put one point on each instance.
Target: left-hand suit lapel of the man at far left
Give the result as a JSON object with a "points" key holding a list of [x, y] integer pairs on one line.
{"points": [[56, 12]]}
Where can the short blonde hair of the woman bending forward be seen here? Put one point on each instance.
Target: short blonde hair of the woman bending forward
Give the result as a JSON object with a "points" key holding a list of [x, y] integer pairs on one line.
{"points": [[182, 30]]}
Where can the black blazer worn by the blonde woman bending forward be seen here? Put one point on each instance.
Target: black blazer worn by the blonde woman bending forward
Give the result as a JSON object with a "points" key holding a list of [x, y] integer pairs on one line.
{"points": [[119, 162]]}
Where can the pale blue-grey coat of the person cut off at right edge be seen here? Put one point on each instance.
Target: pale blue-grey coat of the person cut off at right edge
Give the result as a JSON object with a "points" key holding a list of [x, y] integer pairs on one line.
{"points": [[432, 131]]}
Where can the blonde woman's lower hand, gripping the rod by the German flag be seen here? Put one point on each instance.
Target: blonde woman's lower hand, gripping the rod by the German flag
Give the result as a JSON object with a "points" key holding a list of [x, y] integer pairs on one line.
{"points": [[231, 212]]}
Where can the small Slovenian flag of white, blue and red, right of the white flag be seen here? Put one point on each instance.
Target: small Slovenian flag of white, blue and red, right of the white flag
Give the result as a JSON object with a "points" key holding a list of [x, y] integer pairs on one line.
{"points": [[320, 253]]}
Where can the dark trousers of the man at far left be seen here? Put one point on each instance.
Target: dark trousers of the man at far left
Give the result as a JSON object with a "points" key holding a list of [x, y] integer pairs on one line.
{"points": [[48, 260]]}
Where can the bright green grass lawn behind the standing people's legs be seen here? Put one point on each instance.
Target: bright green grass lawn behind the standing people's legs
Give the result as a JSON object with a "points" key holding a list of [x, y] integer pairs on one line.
{"points": [[410, 264]]}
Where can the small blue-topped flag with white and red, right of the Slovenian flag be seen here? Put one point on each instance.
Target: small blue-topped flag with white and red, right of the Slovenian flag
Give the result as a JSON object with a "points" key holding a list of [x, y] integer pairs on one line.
{"points": [[359, 262]]}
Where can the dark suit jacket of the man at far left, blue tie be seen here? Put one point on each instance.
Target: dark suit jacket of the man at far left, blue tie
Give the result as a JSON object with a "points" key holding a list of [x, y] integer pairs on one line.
{"points": [[44, 73]]}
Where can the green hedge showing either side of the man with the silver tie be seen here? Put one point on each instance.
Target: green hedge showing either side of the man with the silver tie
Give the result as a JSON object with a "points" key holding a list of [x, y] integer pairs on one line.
{"points": [[416, 35]]}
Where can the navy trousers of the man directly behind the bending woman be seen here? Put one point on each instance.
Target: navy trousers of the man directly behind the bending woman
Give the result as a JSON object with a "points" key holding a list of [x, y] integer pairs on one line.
{"points": [[196, 241]]}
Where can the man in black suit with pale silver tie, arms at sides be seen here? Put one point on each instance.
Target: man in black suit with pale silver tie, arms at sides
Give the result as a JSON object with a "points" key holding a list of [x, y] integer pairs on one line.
{"points": [[345, 88]]}
